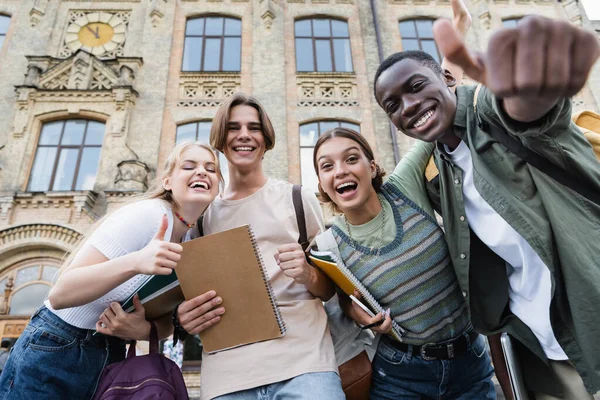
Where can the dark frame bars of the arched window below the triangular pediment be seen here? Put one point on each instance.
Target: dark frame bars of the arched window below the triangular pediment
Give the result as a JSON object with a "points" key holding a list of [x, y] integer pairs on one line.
{"points": [[59, 147]]}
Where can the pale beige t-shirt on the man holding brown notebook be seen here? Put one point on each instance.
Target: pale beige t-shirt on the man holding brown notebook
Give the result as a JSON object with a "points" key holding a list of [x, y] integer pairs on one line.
{"points": [[307, 345]]}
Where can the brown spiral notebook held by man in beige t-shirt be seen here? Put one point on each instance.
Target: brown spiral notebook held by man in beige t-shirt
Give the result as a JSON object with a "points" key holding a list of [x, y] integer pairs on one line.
{"points": [[230, 263]]}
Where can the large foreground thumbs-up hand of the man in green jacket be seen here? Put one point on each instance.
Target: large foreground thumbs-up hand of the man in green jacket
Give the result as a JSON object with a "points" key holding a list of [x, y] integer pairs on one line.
{"points": [[530, 67]]}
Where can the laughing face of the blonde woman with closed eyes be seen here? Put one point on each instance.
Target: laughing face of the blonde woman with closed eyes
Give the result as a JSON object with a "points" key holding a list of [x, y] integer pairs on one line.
{"points": [[195, 180]]}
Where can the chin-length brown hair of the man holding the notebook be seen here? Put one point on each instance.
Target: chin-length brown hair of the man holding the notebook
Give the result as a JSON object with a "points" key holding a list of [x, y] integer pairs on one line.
{"points": [[220, 124]]}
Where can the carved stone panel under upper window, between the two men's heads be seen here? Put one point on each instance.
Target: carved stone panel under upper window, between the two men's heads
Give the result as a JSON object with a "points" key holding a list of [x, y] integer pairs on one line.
{"points": [[326, 89]]}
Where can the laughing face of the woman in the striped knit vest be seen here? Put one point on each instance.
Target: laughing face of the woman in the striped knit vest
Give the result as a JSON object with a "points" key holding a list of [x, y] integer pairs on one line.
{"points": [[345, 174]]}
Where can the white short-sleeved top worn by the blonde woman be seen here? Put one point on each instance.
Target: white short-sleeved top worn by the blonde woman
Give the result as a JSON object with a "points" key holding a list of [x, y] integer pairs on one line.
{"points": [[128, 229]]}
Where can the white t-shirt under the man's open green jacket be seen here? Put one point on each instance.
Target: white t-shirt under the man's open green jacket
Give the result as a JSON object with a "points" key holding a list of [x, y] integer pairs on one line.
{"points": [[530, 286]]}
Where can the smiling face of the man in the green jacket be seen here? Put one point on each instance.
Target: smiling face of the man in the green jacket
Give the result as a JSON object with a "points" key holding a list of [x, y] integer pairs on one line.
{"points": [[417, 100]]}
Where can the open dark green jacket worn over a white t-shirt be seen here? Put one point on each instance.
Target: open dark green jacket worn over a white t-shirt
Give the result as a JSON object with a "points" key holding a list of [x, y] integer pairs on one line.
{"points": [[560, 225]]}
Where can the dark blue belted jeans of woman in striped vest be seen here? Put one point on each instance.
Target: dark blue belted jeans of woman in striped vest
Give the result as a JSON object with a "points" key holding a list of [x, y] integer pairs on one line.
{"points": [[398, 375]]}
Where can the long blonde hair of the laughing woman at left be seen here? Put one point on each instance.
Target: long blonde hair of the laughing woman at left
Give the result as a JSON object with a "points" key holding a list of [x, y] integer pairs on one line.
{"points": [[155, 191]]}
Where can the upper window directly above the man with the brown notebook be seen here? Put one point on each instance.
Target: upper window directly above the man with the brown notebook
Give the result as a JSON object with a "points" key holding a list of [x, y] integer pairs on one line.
{"points": [[212, 44]]}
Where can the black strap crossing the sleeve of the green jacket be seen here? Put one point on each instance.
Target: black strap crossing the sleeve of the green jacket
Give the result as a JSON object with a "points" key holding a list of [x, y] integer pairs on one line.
{"points": [[543, 164]]}
